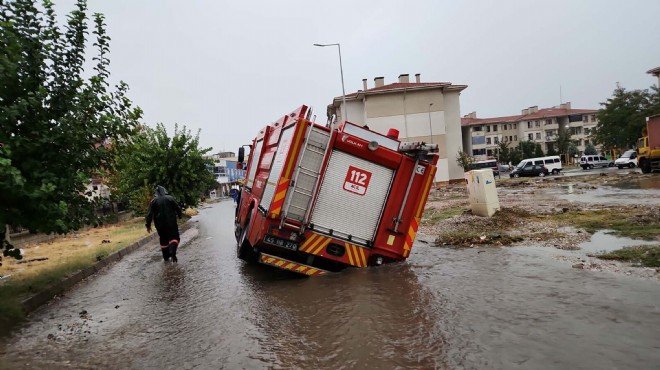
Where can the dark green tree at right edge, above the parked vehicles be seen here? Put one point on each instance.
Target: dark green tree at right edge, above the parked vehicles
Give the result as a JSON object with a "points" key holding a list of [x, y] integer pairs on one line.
{"points": [[623, 116]]}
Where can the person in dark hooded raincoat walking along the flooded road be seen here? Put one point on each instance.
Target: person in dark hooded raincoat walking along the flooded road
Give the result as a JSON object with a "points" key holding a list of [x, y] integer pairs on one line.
{"points": [[163, 210]]}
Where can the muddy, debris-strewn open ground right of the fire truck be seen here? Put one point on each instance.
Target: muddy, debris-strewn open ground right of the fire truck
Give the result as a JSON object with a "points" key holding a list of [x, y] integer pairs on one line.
{"points": [[531, 215]]}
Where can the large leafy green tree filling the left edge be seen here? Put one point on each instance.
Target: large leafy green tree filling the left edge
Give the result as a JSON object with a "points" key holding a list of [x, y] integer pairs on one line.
{"points": [[54, 121]]}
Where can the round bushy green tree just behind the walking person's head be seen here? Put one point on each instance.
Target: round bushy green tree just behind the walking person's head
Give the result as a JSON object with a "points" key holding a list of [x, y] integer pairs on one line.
{"points": [[152, 158]]}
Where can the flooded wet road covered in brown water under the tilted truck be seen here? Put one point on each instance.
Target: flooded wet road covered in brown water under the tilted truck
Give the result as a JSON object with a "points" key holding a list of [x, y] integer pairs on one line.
{"points": [[510, 308]]}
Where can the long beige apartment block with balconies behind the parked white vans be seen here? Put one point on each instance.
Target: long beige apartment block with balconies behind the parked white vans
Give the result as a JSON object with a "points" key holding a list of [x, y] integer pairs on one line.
{"points": [[482, 136]]}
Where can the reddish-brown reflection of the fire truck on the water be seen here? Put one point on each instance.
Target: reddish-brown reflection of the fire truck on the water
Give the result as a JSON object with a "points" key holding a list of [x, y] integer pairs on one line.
{"points": [[369, 318]]}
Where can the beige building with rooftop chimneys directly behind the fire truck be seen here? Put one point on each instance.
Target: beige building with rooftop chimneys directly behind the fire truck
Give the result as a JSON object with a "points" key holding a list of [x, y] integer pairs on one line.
{"points": [[421, 111]]}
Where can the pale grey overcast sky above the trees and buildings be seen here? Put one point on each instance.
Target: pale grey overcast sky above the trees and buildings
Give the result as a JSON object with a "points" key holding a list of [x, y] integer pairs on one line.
{"points": [[229, 68]]}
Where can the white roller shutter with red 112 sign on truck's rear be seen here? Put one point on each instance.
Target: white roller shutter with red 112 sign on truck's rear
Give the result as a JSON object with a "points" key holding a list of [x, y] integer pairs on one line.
{"points": [[348, 212]]}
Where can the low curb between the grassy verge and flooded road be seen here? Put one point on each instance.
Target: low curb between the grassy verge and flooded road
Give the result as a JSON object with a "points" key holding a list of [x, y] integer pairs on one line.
{"points": [[32, 303]]}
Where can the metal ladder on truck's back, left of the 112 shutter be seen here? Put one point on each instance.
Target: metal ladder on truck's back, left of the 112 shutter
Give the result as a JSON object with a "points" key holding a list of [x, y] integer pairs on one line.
{"points": [[306, 178]]}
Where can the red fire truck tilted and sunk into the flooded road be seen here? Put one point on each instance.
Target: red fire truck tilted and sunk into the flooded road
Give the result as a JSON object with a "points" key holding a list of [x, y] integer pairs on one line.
{"points": [[317, 200]]}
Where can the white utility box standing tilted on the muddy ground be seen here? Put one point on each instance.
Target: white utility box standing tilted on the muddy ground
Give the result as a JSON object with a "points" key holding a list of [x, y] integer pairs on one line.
{"points": [[482, 192]]}
